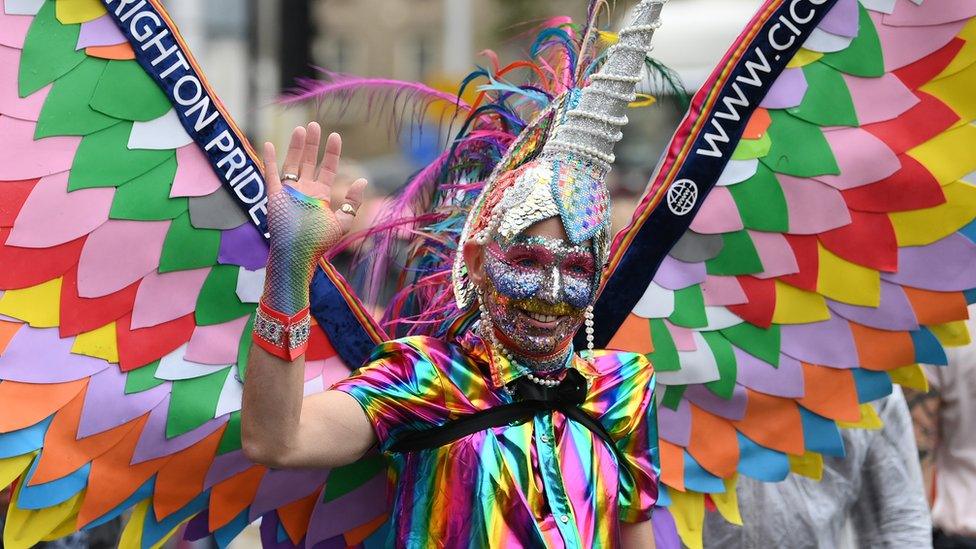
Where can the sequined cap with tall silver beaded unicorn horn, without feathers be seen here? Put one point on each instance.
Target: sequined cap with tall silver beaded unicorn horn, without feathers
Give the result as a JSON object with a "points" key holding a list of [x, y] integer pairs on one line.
{"points": [[567, 179]]}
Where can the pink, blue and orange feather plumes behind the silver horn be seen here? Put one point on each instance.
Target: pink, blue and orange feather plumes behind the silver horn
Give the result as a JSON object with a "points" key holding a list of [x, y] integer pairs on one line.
{"points": [[419, 228]]}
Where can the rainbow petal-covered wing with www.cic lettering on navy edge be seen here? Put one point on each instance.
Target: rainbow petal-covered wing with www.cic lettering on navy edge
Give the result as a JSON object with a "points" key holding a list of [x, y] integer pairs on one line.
{"points": [[833, 253]]}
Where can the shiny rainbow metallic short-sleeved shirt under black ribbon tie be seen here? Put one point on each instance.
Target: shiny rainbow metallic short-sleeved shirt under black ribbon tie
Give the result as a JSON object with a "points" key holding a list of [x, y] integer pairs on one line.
{"points": [[549, 482]]}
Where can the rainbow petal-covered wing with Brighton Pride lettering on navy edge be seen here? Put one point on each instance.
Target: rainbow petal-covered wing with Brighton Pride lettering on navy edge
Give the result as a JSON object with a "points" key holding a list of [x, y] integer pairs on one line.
{"points": [[128, 282]]}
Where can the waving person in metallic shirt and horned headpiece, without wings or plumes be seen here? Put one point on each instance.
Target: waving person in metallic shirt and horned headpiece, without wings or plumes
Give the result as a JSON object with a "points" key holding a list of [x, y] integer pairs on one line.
{"points": [[502, 434]]}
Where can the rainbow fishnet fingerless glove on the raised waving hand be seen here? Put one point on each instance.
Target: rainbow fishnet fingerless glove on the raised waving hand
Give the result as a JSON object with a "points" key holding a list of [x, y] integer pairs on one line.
{"points": [[302, 228]]}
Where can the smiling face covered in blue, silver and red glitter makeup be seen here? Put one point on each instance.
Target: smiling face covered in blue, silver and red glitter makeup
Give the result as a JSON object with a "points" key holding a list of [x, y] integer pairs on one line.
{"points": [[538, 291]]}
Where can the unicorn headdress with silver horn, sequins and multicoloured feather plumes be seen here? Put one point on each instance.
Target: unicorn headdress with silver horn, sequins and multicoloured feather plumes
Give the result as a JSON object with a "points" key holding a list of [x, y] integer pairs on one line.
{"points": [[527, 149]]}
